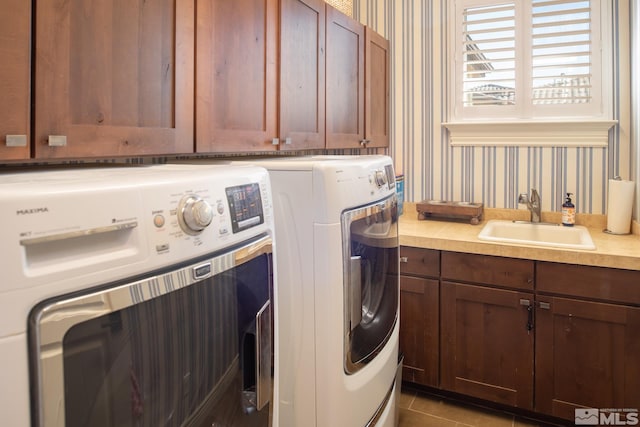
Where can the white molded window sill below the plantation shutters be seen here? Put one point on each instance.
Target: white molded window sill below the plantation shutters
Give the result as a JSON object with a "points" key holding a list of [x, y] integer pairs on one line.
{"points": [[531, 134]]}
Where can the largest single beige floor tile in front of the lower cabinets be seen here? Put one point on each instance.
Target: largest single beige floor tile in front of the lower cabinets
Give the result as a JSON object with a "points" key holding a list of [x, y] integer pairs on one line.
{"points": [[460, 413]]}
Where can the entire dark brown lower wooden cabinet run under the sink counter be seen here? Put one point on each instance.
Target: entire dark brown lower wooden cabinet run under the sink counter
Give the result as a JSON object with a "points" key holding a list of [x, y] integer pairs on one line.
{"points": [[570, 339]]}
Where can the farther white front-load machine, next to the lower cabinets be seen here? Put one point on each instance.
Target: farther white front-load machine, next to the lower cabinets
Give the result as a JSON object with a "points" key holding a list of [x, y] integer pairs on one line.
{"points": [[336, 222]]}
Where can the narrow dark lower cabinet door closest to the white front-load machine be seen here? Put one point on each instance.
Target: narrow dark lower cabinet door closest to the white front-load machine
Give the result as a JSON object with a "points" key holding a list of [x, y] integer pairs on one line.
{"points": [[419, 330]]}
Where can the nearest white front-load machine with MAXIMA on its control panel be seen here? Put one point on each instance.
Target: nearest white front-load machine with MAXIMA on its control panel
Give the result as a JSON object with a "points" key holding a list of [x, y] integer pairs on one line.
{"points": [[136, 296]]}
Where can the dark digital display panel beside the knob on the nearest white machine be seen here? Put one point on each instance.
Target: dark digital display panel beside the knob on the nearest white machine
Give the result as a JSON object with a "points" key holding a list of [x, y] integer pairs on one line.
{"points": [[245, 204]]}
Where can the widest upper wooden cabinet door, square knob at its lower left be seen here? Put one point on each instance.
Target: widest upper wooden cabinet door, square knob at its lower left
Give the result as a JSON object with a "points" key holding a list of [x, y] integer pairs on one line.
{"points": [[114, 77]]}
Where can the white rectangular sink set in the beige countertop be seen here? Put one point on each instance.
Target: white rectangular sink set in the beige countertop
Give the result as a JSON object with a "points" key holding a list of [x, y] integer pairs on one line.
{"points": [[538, 234]]}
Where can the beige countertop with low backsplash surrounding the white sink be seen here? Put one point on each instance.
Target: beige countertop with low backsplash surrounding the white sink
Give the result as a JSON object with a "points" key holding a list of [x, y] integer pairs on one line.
{"points": [[459, 236]]}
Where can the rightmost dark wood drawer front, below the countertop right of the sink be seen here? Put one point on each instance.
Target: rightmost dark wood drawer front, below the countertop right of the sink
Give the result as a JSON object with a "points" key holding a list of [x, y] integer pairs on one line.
{"points": [[608, 284]]}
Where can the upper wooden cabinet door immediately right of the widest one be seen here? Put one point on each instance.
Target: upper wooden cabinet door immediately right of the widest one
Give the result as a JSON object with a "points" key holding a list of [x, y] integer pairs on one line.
{"points": [[236, 81]]}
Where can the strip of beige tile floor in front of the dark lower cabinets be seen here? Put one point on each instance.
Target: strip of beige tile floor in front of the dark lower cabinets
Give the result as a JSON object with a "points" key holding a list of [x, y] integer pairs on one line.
{"points": [[422, 410]]}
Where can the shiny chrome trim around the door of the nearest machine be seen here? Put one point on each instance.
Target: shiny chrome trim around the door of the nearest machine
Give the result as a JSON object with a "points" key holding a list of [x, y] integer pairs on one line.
{"points": [[53, 320]]}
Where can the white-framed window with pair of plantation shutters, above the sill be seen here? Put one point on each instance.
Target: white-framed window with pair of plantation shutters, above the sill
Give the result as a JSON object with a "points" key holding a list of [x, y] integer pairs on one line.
{"points": [[527, 60]]}
